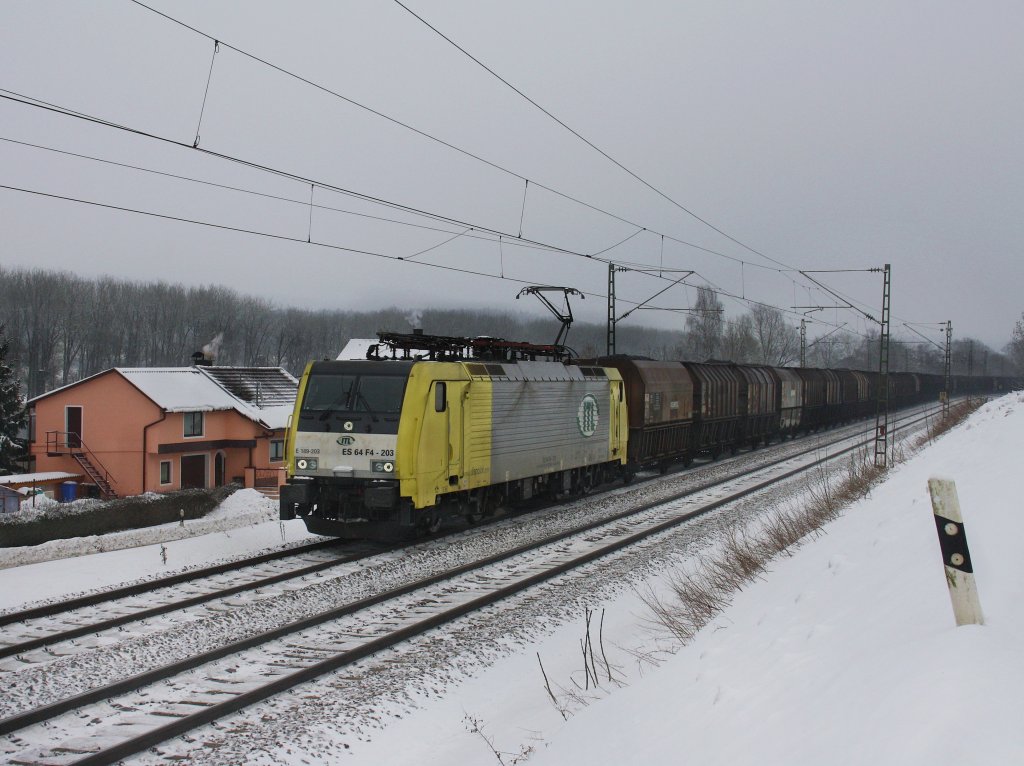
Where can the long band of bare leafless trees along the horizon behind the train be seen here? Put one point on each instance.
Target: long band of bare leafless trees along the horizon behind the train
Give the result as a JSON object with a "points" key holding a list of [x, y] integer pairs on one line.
{"points": [[63, 328]]}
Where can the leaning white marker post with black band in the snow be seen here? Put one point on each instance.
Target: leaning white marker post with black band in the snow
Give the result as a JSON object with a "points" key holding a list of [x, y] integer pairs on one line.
{"points": [[956, 557]]}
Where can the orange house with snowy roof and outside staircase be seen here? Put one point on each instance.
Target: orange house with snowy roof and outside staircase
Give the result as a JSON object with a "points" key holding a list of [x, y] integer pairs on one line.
{"points": [[160, 430]]}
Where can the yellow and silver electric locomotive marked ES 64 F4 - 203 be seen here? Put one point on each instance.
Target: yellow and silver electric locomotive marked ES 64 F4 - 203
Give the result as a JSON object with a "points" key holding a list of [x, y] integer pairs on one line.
{"points": [[429, 429]]}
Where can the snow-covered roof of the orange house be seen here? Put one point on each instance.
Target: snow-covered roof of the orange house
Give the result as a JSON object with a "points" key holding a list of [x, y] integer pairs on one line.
{"points": [[264, 395]]}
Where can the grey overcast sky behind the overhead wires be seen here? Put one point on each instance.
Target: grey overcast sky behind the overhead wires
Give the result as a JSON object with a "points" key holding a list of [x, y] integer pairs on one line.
{"points": [[816, 135]]}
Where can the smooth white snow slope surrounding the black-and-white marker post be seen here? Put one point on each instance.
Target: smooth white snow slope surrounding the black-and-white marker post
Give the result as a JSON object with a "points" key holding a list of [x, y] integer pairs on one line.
{"points": [[848, 653]]}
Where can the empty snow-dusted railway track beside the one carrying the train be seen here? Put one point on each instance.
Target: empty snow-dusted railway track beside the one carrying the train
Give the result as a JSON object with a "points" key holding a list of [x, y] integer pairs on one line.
{"points": [[118, 719]]}
